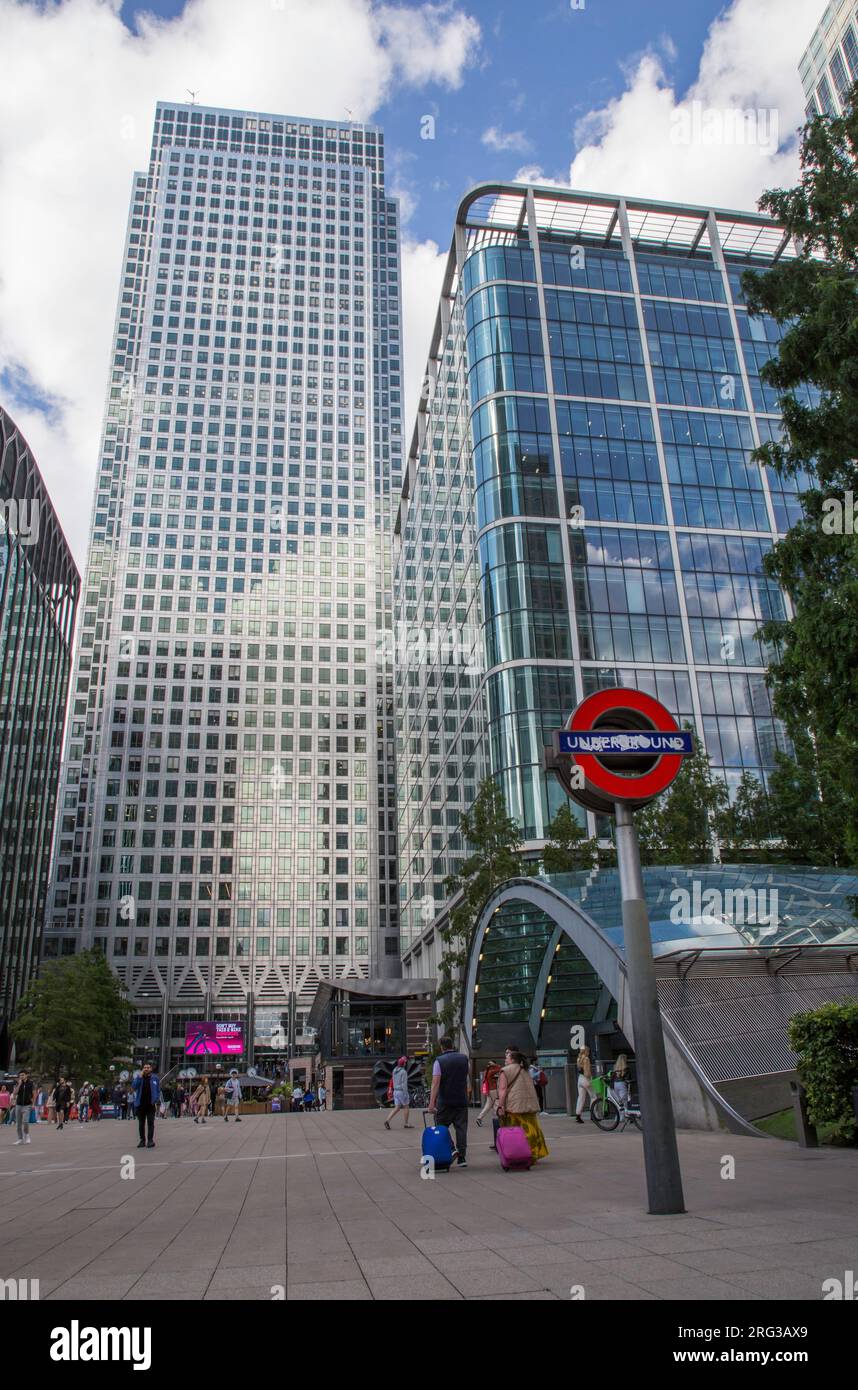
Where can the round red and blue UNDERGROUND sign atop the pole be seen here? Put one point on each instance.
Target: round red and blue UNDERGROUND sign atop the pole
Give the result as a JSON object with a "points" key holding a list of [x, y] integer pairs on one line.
{"points": [[620, 746]]}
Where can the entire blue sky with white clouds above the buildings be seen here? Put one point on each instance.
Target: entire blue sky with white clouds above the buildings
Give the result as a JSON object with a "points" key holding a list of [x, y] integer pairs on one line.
{"points": [[620, 73]]}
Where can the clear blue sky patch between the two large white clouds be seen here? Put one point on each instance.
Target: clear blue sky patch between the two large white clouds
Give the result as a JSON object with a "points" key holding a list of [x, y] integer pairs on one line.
{"points": [[543, 66]]}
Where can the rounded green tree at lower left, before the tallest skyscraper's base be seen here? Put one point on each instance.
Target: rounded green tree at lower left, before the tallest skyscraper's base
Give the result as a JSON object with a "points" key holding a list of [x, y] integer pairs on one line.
{"points": [[74, 1018]]}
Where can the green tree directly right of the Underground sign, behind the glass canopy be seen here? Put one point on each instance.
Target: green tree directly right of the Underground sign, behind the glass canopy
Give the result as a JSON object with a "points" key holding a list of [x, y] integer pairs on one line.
{"points": [[679, 828]]}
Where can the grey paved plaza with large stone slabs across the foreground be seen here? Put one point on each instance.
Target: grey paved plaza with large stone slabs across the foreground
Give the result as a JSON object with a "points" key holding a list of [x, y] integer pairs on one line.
{"points": [[334, 1207]]}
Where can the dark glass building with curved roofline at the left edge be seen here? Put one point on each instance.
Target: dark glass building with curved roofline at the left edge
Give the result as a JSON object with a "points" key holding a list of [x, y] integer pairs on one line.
{"points": [[40, 587]]}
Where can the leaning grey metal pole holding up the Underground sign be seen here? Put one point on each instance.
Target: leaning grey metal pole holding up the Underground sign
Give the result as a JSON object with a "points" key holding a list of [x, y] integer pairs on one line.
{"points": [[661, 1154]]}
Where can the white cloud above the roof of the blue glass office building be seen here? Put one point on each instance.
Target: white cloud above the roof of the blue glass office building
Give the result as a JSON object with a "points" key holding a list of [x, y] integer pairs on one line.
{"points": [[660, 144]]}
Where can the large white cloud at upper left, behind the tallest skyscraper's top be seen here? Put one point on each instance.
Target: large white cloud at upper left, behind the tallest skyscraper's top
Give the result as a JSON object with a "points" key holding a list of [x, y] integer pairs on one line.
{"points": [[77, 105]]}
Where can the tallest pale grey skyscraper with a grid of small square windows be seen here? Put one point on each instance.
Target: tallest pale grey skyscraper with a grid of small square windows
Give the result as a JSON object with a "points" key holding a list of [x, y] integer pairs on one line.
{"points": [[227, 826]]}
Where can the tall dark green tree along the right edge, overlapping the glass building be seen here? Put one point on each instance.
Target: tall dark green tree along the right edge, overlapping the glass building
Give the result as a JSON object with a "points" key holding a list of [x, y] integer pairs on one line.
{"points": [[814, 298]]}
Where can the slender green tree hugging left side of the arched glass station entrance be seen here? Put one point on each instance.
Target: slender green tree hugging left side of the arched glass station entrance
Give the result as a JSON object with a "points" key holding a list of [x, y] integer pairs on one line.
{"points": [[496, 856]]}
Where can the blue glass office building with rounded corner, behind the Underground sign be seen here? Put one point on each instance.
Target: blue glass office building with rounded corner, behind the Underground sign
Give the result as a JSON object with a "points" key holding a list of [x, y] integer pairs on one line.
{"points": [[581, 508]]}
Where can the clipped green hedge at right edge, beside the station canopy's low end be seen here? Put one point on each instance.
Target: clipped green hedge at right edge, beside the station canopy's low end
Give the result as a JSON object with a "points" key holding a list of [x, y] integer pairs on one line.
{"points": [[827, 1046]]}
